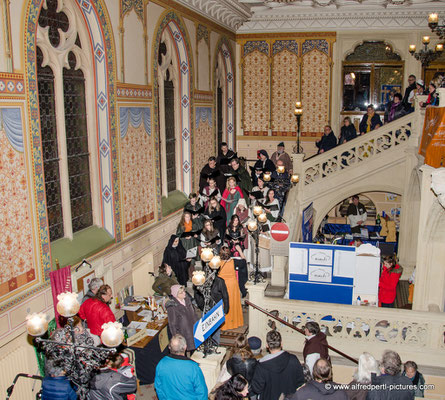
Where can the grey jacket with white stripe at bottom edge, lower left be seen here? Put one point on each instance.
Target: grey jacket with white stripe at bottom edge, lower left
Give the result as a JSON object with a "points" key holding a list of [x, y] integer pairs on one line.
{"points": [[111, 385]]}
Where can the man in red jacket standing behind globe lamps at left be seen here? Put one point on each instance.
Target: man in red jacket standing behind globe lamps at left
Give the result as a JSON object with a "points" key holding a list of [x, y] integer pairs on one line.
{"points": [[96, 310]]}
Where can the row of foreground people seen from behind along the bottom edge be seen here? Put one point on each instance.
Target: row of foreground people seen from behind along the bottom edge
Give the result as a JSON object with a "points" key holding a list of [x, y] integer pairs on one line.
{"points": [[248, 374]]}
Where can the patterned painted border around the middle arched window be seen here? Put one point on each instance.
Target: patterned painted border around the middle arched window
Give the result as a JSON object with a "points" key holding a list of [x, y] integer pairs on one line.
{"points": [[170, 20]]}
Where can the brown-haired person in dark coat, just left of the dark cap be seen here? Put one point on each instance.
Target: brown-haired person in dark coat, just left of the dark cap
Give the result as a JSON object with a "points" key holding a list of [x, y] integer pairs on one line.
{"points": [[242, 360]]}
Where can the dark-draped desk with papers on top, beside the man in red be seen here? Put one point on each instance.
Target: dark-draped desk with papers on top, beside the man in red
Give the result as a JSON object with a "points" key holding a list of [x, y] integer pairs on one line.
{"points": [[151, 349]]}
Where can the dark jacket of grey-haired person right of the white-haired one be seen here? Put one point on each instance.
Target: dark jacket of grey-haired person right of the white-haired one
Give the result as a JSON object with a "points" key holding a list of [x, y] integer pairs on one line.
{"points": [[387, 381]]}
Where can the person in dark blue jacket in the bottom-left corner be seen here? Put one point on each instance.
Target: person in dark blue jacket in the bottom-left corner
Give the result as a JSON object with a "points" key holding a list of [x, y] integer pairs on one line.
{"points": [[56, 386]]}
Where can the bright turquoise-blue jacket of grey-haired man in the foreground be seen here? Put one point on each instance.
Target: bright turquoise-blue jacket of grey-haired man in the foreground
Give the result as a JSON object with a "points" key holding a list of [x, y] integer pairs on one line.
{"points": [[179, 378]]}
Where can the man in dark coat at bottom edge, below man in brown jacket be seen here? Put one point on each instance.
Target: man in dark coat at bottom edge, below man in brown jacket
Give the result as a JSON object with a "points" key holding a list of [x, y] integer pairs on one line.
{"points": [[321, 387]]}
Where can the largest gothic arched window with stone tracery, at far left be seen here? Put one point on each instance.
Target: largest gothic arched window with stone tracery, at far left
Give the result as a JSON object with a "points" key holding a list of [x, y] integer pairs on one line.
{"points": [[63, 74]]}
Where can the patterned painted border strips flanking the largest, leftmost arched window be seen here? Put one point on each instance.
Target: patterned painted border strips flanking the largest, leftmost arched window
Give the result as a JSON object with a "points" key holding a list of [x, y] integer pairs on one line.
{"points": [[93, 12]]}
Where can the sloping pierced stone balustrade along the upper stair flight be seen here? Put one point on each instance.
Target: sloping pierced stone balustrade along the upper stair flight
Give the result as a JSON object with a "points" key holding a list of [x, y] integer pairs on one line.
{"points": [[362, 149]]}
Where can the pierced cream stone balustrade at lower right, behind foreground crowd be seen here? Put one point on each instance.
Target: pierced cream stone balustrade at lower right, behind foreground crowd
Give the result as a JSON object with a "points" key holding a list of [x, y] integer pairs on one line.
{"points": [[355, 329]]}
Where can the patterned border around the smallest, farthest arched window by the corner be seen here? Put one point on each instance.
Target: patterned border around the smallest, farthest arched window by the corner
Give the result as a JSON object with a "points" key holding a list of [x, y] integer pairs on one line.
{"points": [[224, 46]]}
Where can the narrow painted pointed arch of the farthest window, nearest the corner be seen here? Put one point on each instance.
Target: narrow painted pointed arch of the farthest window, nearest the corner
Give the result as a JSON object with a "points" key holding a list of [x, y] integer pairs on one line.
{"points": [[226, 74]]}
